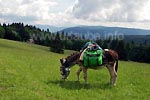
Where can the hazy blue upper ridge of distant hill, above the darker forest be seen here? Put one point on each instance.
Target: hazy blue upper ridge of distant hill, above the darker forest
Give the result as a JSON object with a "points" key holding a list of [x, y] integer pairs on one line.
{"points": [[102, 30]]}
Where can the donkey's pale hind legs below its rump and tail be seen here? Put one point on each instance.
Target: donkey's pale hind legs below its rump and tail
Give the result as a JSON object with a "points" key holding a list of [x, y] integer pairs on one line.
{"points": [[113, 74]]}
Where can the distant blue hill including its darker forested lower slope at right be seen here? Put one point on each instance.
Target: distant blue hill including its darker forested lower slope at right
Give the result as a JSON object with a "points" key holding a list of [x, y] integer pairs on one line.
{"points": [[103, 32]]}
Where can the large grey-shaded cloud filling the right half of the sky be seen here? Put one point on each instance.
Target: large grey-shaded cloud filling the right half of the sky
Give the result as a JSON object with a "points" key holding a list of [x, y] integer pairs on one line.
{"points": [[110, 10]]}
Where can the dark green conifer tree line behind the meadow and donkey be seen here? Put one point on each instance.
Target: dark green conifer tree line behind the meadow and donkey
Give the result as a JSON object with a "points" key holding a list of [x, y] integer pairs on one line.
{"points": [[59, 41]]}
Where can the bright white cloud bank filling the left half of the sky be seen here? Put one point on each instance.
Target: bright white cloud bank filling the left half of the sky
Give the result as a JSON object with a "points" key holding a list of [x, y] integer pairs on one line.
{"points": [[49, 12]]}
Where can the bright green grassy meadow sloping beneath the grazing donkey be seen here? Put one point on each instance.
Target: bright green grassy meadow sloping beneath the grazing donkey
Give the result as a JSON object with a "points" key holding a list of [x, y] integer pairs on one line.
{"points": [[31, 72]]}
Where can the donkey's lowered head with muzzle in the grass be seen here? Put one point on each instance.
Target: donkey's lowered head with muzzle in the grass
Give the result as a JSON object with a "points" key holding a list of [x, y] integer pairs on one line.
{"points": [[64, 68]]}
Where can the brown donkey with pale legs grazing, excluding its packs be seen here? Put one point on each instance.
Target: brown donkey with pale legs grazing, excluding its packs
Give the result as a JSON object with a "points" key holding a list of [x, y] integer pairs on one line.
{"points": [[110, 60]]}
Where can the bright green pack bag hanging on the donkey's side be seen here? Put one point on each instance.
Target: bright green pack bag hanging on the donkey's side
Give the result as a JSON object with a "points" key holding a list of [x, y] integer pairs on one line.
{"points": [[92, 58]]}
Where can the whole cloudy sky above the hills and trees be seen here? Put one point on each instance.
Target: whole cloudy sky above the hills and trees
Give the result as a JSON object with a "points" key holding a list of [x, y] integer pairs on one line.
{"points": [[67, 13]]}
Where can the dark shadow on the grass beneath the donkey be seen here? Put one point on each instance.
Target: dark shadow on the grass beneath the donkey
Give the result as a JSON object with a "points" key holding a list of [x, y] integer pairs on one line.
{"points": [[75, 85]]}
